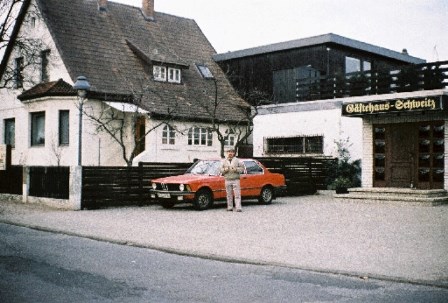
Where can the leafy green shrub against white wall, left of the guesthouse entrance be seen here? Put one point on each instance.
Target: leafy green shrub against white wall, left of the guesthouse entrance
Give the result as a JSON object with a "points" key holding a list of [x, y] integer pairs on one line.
{"points": [[344, 173]]}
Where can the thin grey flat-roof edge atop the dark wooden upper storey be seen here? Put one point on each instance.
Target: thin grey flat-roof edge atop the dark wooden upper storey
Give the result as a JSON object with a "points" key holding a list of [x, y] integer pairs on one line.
{"points": [[316, 40]]}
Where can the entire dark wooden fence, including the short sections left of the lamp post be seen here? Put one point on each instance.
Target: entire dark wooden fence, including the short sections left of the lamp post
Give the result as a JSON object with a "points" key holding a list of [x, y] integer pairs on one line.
{"points": [[119, 186]]}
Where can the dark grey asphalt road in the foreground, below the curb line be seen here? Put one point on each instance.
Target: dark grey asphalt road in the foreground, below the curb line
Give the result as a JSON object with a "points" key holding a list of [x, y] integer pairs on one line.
{"points": [[39, 266]]}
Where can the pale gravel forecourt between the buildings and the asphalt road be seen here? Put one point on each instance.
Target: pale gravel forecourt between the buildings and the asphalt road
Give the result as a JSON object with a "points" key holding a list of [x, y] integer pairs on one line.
{"points": [[388, 241]]}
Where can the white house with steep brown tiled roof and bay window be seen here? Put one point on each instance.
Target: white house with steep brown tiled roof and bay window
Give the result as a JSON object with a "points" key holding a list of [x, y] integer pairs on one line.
{"points": [[150, 72]]}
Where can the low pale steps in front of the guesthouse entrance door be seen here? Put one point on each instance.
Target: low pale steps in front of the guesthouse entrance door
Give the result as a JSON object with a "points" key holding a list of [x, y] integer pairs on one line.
{"points": [[430, 197]]}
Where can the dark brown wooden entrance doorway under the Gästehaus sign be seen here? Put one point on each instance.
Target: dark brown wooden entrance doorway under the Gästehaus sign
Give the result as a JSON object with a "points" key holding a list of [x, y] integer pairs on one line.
{"points": [[409, 155]]}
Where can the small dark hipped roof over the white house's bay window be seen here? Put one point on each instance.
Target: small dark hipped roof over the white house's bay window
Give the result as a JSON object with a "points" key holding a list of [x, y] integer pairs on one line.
{"points": [[54, 88]]}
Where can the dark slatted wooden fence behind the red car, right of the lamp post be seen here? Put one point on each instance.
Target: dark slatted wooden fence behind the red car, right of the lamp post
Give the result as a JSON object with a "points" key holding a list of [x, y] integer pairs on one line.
{"points": [[114, 186]]}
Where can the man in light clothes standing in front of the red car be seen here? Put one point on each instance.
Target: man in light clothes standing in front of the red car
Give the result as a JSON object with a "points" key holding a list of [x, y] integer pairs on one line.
{"points": [[231, 168]]}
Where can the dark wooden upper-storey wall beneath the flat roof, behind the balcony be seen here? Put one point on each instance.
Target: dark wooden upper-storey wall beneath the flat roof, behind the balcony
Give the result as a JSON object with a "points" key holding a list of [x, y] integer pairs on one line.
{"points": [[251, 73]]}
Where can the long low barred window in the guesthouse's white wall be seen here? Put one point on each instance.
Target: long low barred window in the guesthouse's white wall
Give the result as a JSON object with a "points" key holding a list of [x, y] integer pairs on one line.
{"points": [[295, 145]]}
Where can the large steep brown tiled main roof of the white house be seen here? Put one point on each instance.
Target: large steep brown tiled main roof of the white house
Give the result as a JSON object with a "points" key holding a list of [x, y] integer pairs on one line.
{"points": [[113, 49]]}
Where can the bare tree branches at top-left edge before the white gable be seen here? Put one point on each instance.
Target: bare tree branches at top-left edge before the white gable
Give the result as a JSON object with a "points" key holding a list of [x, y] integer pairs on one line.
{"points": [[13, 13]]}
